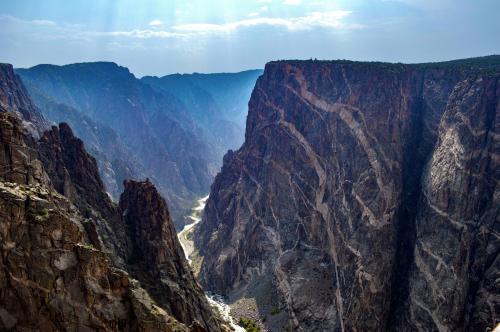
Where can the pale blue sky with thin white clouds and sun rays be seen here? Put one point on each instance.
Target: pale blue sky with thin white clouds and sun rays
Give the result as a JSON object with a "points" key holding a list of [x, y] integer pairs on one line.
{"points": [[159, 37]]}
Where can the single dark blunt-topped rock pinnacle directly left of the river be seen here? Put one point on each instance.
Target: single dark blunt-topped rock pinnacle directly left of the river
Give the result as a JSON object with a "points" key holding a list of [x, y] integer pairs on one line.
{"points": [[156, 257]]}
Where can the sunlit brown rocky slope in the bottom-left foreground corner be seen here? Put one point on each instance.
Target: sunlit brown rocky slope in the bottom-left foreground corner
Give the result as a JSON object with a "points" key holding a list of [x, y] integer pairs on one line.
{"points": [[51, 279]]}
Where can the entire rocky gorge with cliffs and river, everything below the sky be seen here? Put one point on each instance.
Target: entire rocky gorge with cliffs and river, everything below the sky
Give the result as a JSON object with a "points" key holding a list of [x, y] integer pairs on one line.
{"points": [[363, 196]]}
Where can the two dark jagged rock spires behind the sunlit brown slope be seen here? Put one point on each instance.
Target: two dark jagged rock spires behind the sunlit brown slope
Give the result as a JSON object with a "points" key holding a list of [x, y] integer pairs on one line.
{"points": [[138, 235]]}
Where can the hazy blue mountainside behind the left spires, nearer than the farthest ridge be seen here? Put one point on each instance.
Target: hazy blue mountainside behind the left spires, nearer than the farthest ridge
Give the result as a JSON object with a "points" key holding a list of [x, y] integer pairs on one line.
{"points": [[158, 132]]}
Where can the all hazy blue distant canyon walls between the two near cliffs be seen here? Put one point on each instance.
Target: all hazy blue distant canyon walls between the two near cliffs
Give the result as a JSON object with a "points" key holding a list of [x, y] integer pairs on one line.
{"points": [[173, 129]]}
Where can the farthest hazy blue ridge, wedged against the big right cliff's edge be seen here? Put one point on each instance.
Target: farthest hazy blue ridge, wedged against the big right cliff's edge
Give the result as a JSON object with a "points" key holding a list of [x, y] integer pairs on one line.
{"points": [[218, 103]]}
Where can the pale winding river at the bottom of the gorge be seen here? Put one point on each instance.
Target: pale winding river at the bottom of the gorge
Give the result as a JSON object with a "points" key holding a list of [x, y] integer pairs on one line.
{"points": [[188, 247]]}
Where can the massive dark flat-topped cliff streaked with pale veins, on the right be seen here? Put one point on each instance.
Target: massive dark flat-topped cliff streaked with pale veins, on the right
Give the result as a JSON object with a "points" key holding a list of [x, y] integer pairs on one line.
{"points": [[365, 195]]}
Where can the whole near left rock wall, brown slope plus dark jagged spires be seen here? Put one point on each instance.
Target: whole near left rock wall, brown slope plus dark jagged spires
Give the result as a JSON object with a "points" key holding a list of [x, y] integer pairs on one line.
{"points": [[68, 252]]}
